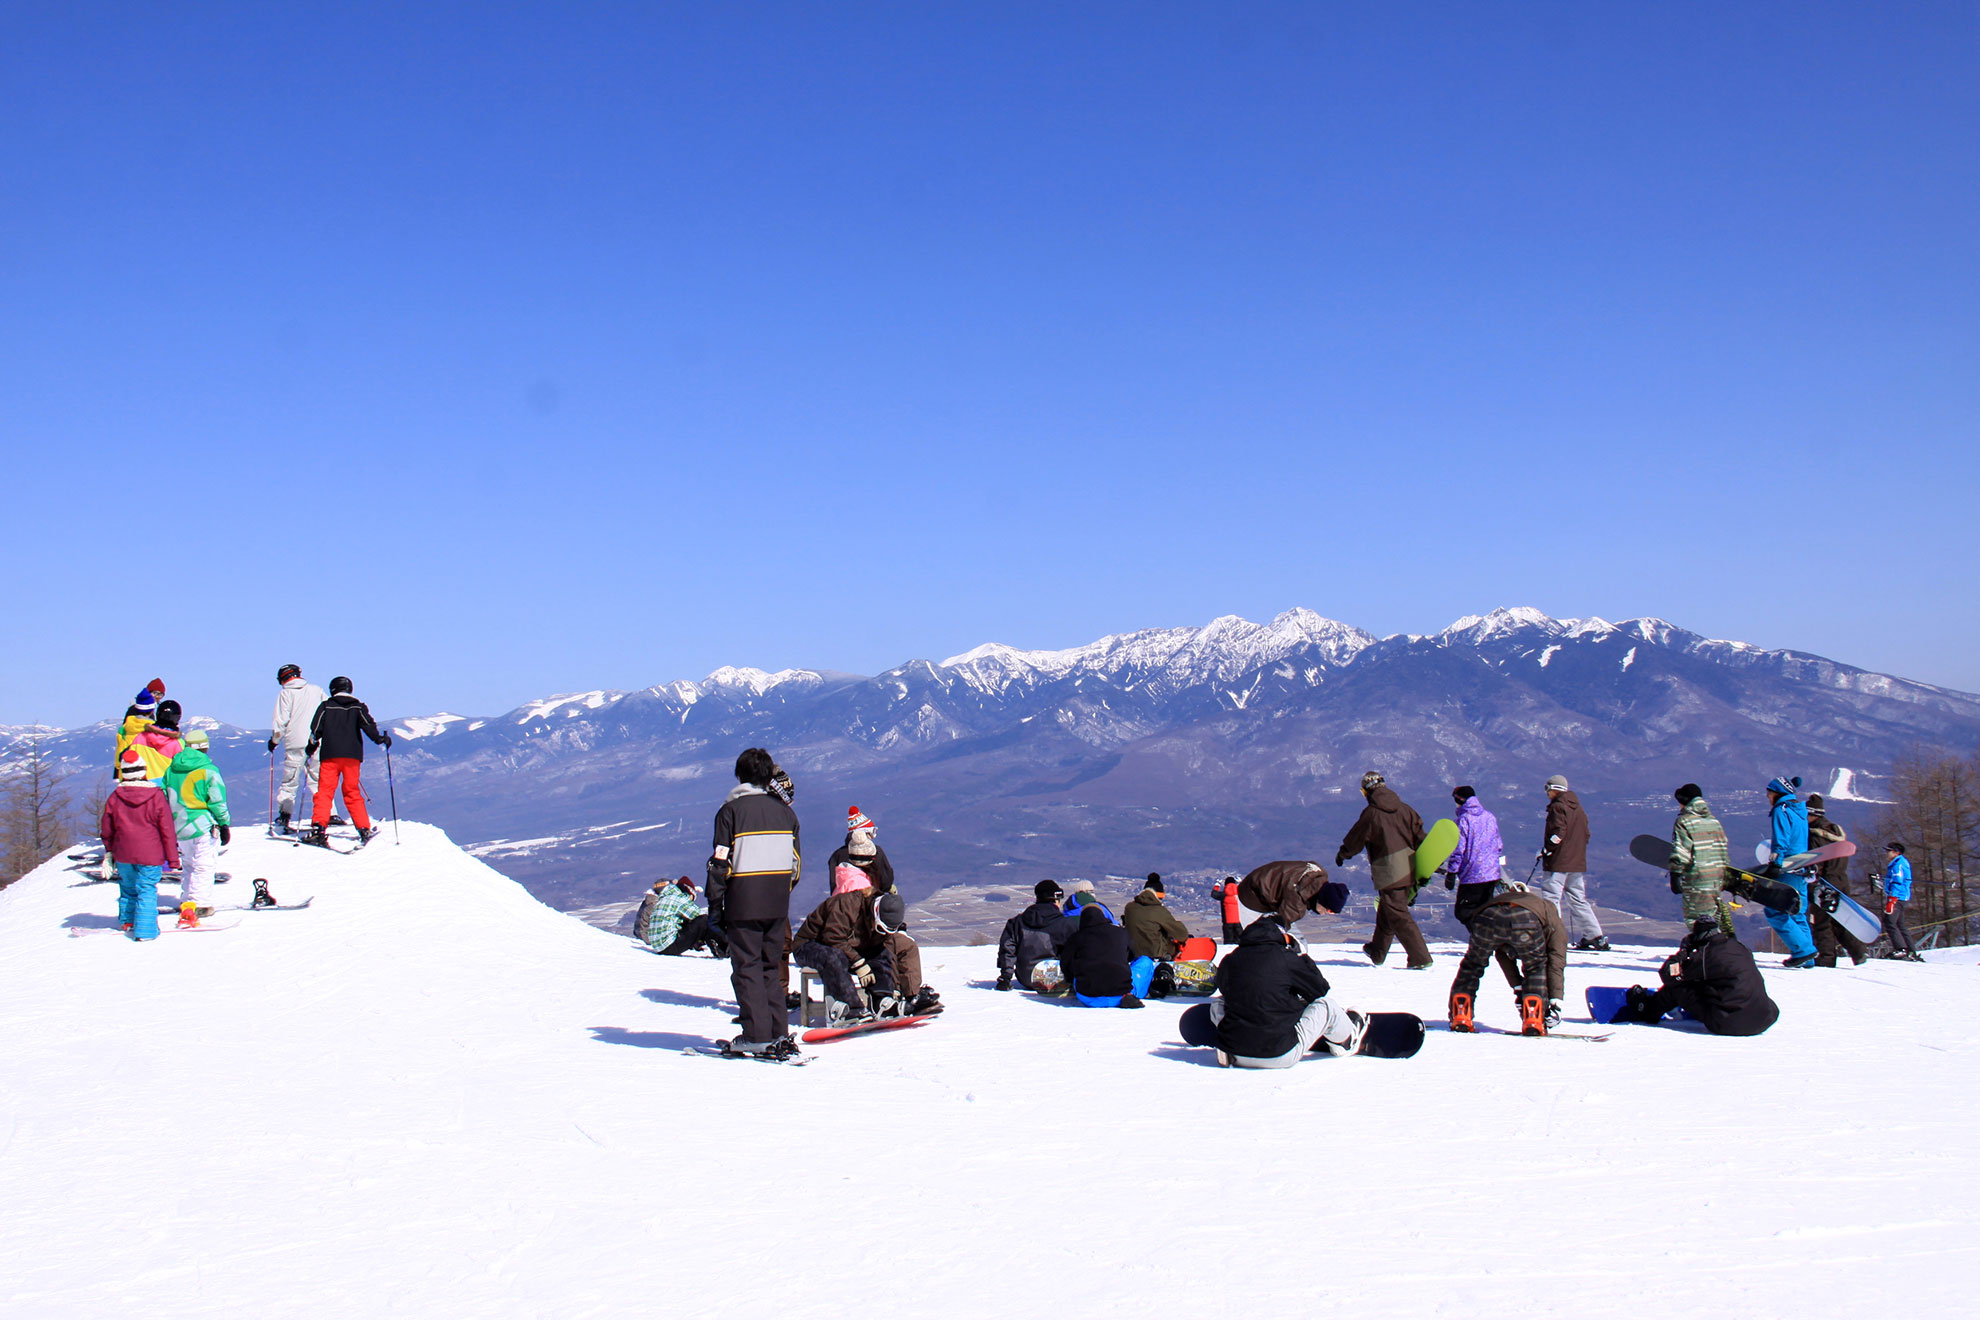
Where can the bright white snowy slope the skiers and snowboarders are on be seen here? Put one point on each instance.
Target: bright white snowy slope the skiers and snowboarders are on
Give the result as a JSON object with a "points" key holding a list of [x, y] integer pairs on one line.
{"points": [[429, 1095]]}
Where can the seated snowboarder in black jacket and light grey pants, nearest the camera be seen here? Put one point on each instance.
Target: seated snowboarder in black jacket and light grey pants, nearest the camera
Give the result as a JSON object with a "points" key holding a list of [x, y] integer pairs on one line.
{"points": [[1272, 1002]]}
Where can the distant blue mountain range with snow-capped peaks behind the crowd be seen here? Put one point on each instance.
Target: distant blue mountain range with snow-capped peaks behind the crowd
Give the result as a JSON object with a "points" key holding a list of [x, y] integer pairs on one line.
{"points": [[1183, 749]]}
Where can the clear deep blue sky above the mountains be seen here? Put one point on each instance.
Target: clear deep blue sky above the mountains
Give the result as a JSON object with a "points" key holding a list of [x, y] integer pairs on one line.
{"points": [[484, 353]]}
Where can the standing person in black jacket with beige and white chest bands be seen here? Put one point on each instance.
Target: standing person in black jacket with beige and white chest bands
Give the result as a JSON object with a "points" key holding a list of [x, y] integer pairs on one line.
{"points": [[751, 874]]}
